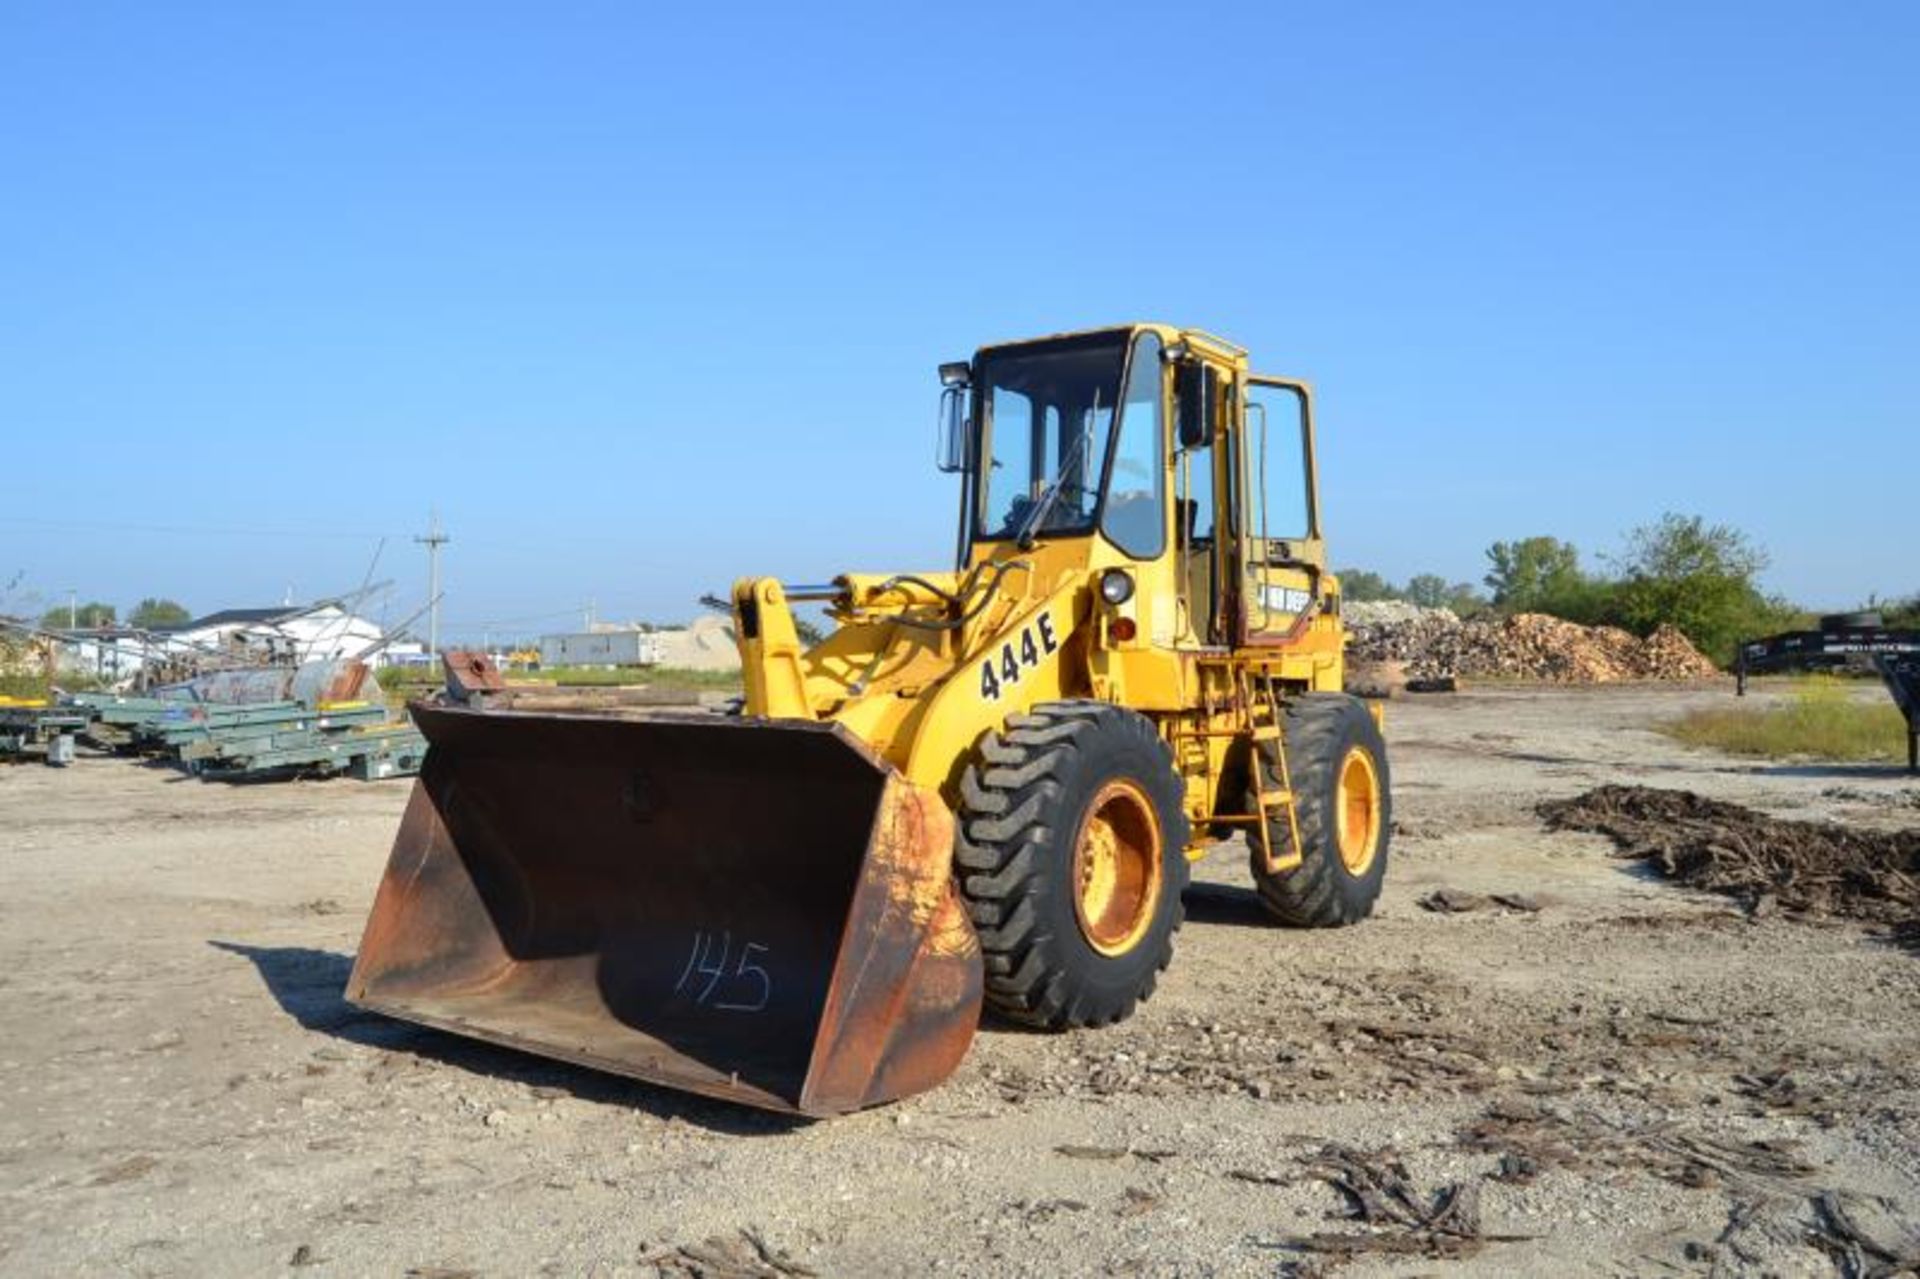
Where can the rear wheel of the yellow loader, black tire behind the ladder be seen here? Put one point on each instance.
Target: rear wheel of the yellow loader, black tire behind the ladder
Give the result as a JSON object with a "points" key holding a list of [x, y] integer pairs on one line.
{"points": [[1345, 804]]}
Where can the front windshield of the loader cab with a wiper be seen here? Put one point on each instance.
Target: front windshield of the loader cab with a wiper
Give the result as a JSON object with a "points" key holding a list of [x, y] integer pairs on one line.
{"points": [[1045, 416]]}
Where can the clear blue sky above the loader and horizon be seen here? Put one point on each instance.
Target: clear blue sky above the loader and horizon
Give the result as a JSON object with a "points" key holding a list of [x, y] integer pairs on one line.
{"points": [[646, 299]]}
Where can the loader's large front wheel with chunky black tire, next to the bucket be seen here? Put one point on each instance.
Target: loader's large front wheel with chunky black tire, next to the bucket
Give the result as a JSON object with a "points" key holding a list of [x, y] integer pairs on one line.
{"points": [[1072, 859]]}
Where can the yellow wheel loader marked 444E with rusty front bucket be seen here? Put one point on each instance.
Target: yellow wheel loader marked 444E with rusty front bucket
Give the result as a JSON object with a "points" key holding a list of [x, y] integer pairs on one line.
{"points": [[982, 786]]}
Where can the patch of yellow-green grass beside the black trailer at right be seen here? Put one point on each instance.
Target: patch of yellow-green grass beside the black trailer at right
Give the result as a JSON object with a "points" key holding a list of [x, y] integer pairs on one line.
{"points": [[1821, 719]]}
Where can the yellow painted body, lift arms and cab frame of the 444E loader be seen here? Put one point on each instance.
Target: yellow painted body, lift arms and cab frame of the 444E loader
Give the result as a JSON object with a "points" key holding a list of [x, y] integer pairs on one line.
{"points": [[924, 698]]}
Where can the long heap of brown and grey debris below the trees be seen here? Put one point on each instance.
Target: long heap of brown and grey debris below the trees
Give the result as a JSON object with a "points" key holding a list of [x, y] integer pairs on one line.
{"points": [[1435, 644]]}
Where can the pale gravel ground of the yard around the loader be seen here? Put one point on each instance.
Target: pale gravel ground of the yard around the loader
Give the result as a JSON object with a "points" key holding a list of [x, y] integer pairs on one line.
{"points": [[1625, 1078]]}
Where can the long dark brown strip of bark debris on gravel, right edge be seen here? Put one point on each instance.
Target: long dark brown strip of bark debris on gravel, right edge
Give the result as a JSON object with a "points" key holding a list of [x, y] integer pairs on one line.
{"points": [[1806, 869]]}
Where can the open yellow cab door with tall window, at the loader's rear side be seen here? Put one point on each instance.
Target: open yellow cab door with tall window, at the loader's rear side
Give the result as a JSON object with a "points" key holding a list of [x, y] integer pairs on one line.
{"points": [[1280, 548]]}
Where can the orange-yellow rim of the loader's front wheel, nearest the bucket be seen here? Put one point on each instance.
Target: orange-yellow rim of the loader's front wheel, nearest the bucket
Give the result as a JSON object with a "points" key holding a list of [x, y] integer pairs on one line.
{"points": [[1116, 869]]}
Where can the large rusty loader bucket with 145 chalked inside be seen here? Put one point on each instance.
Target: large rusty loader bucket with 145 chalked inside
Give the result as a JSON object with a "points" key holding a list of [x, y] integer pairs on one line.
{"points": [[752, 909]]}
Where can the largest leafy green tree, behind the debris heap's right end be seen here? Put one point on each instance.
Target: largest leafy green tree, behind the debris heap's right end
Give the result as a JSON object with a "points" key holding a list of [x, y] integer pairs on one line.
{"points": [[1698, 577]]}
